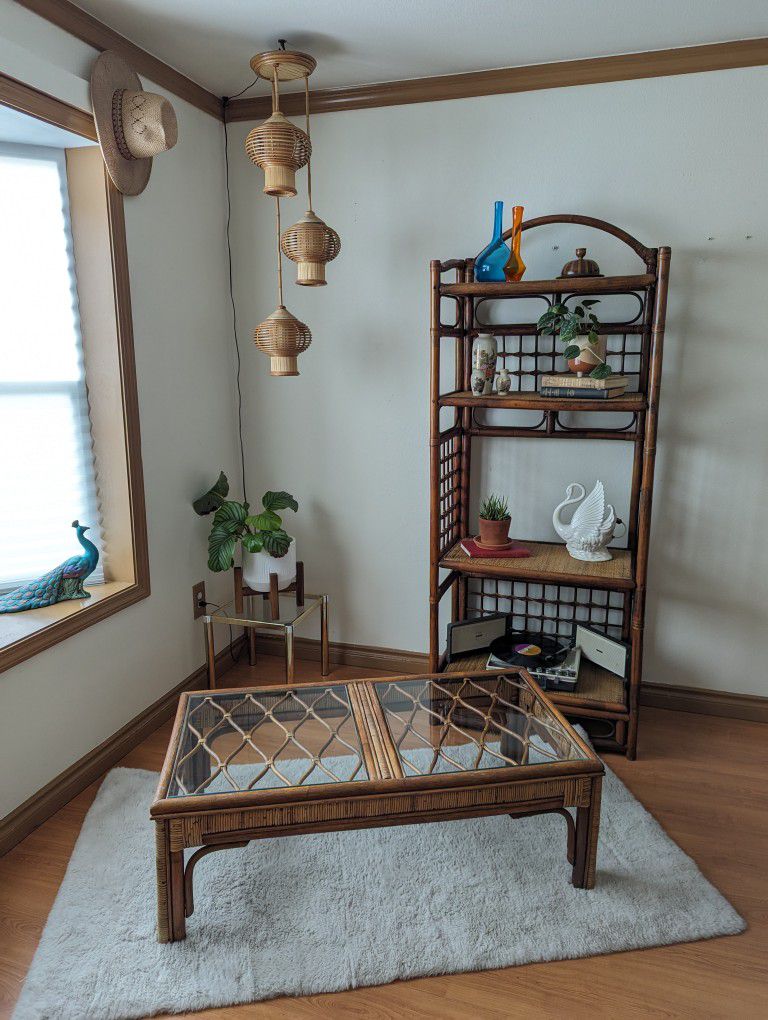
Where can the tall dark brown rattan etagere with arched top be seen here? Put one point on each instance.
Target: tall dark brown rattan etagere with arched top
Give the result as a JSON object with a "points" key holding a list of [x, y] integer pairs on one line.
{"points": [[550, 591]]}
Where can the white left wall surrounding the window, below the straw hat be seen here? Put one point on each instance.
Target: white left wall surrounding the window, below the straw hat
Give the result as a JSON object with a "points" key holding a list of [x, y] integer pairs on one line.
{"points": [[61, 704]]}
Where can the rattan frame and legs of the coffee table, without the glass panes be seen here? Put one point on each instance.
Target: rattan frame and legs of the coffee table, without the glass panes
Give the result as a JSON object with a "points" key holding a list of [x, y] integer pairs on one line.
{"points": [[209, 823]]}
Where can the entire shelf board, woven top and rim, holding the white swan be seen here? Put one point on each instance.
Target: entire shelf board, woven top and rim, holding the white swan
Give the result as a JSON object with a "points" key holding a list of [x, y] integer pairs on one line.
{"points": [[550, 563]]}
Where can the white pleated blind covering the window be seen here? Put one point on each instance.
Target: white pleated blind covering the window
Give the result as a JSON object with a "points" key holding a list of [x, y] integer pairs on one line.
{"points": [[47, 472]]}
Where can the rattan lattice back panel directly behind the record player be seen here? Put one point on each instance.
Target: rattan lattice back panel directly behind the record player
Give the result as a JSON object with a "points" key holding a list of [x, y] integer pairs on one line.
{"points": [[551, 609]]}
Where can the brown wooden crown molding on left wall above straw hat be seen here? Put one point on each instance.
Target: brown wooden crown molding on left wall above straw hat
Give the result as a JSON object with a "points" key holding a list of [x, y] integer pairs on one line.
{"points": [[75, 21]]}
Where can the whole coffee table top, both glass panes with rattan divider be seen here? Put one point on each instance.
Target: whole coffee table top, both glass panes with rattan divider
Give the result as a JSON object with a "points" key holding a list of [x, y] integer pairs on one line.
{"points": [[248, 740]]}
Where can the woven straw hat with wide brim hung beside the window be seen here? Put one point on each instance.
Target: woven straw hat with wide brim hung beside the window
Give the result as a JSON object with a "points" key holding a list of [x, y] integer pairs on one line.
{"points": [[133, 125]]}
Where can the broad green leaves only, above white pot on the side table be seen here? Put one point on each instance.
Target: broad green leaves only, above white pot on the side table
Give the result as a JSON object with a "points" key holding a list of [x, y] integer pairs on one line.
{"points": [[233, 523]]}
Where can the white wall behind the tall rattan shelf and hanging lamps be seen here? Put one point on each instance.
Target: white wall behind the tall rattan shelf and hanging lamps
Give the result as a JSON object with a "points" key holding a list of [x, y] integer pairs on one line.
{"points": [[678, 162]]}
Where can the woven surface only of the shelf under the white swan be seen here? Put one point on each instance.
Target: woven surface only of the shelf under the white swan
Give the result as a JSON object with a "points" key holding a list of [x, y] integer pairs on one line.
{"points": [[548, 559]]}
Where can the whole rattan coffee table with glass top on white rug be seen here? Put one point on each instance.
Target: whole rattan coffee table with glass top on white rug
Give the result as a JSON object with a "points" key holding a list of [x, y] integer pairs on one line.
{"points": [[250, 763]]}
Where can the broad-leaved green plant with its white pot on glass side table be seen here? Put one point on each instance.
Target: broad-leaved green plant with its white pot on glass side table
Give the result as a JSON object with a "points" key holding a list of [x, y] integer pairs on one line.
{"points": [[267, 546]]}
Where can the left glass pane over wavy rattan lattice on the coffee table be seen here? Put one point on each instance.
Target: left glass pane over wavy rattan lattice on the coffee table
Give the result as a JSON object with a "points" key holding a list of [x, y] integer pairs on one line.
{"points": [[232, 742]]}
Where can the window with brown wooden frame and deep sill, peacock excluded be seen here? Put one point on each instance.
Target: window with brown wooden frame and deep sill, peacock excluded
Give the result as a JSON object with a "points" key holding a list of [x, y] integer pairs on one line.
{"points": [[70, 437]]}
